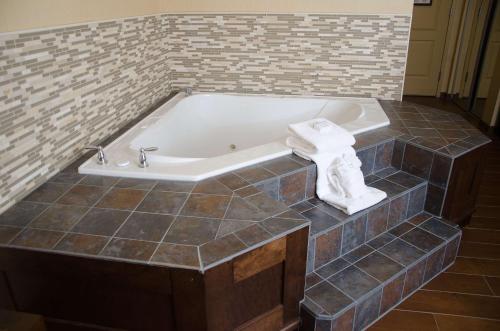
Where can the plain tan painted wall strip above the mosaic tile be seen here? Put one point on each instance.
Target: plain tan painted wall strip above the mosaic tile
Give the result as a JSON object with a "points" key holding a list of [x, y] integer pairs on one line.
{"points": [[32, 14]]}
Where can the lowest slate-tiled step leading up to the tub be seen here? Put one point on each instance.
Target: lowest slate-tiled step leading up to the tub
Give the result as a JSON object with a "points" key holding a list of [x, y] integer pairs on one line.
{"points": [[353, 278]]}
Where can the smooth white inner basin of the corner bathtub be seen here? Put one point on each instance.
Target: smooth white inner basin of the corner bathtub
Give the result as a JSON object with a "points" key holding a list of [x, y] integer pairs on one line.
{"points": [[204, 126]]}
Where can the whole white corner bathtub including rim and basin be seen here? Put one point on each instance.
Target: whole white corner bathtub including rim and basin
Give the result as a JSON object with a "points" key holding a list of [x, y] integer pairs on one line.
{"points": [[204, 135]]}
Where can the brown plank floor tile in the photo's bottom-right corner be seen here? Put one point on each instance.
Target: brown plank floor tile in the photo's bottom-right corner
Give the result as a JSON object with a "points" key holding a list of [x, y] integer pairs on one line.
{"points": [[460, 323]]}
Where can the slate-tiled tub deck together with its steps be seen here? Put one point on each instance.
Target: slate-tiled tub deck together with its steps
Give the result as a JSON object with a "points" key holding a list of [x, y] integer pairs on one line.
{"points": [[358, 267]]}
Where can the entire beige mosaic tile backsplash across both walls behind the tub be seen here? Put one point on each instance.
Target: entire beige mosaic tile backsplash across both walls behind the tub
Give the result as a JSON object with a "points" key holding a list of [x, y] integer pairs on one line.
{"points": [[64, 88]]}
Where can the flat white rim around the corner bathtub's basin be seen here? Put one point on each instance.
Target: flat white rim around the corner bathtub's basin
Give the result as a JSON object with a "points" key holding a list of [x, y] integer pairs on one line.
{"points": [[214, 166]]}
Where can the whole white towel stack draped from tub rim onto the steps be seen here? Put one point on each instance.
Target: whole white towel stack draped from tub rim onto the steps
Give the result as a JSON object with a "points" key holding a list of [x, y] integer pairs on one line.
{"points": [[340, 181]]}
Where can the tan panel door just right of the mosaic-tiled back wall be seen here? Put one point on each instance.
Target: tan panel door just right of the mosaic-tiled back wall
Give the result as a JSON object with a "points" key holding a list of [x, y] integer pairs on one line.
{"points": [[427, 40]]}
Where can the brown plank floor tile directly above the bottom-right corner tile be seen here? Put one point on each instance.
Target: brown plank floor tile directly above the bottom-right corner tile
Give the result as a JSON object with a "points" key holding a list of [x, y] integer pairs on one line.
{"points": [[453, 303]]}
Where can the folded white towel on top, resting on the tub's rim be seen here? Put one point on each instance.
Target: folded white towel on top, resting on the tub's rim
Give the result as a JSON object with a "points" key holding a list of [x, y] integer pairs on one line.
{"points": [[318, 135]]}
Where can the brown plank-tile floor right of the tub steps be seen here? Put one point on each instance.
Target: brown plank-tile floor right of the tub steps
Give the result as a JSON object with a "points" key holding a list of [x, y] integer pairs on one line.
{"points": [[466, 296]]}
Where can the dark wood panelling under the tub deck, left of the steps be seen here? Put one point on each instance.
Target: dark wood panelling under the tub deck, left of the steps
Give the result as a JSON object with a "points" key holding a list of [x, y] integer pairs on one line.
{"points": [[79, 292]]}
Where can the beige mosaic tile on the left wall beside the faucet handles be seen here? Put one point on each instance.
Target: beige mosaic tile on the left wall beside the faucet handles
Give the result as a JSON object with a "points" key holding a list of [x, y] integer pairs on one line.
{"points": [[62, 89]]}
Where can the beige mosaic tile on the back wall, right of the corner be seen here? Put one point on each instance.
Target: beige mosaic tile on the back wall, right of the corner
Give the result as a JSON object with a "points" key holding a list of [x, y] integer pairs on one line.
{"points": [[355, 55]]}
